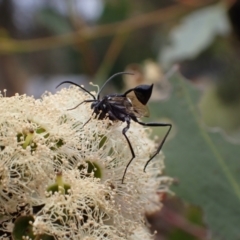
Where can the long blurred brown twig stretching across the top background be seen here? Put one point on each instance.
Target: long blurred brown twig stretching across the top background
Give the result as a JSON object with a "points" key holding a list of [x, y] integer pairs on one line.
{"points": [[8, 46]]}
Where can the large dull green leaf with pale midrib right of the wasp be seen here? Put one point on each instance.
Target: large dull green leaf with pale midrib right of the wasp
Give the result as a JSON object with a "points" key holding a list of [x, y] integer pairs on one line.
{"points": [[206, 165]]}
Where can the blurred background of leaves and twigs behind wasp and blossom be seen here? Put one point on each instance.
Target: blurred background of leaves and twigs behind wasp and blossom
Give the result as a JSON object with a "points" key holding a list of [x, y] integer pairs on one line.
{"points": [[188, 48]]}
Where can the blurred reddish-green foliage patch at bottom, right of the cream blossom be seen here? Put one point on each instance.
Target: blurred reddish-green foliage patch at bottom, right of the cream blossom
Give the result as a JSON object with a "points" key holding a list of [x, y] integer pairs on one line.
{"points": [[177, 220]]}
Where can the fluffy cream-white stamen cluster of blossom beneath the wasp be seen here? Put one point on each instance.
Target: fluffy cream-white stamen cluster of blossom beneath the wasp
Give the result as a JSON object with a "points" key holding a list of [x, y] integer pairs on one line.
{"points": [[41, 141]]}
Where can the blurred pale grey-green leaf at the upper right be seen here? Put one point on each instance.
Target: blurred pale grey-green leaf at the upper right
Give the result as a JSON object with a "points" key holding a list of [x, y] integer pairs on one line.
{"points": [[195, 33]]}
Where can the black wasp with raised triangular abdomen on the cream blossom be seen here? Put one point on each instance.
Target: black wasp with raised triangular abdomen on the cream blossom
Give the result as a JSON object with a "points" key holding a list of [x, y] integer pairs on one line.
{"points": [[125, 107]]}
